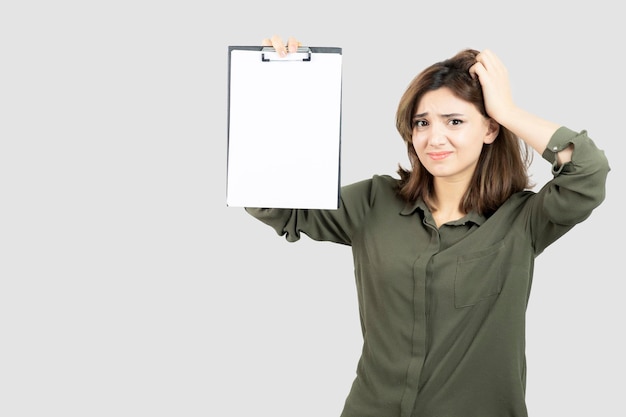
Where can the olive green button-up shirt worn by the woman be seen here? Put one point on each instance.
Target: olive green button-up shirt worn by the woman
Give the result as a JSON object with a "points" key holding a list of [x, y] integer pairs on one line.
{"points": [[442, 310]]}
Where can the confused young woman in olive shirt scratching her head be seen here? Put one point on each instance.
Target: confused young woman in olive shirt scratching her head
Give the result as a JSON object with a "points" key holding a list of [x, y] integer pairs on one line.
{"points": [[444, 254]]}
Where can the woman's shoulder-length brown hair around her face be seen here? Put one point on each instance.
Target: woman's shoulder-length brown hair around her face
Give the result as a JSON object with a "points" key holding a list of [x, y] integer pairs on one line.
{"points": [[502, 168]]}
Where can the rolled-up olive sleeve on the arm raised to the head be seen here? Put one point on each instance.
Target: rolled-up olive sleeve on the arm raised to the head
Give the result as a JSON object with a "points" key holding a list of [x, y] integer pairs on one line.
{"points": [[577, 188]]}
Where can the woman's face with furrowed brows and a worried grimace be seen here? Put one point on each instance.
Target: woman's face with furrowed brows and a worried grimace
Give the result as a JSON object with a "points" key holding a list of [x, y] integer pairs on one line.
{"points": [[448, 135]]}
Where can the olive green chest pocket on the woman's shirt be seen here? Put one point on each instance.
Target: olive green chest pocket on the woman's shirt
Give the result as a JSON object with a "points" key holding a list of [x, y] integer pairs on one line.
{"points": [[478, 276]]}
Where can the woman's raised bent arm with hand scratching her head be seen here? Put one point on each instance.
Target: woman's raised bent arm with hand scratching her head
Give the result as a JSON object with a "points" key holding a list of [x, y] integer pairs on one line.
{"points": [[579, 167]]}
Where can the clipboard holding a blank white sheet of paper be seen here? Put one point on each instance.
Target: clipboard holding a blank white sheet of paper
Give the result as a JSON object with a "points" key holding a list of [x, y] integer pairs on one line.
{"points": [[284, 128]]}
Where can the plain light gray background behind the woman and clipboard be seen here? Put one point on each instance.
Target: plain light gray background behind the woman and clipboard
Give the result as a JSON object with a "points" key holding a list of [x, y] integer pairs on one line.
{"points": [[128, 288]]}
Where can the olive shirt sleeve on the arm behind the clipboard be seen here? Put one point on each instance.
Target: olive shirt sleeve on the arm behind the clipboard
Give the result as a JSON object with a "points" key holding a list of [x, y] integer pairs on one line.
{"points": [[323, 225]]}
